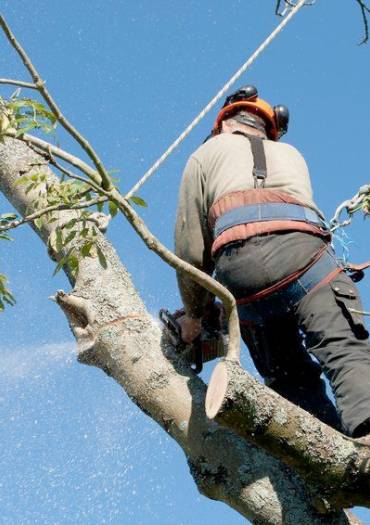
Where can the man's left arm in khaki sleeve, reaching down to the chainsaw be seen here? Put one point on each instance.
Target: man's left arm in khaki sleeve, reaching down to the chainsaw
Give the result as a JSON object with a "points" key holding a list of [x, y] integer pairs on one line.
{"points": [[193, 239]]}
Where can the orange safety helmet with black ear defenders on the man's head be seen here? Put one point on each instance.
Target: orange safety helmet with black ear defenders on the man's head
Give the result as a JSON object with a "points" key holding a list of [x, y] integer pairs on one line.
{"points": [[246, 98]]}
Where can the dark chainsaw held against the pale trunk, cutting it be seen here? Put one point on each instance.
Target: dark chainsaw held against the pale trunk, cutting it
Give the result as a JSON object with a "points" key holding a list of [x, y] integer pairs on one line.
{"points": [[211, 342]]}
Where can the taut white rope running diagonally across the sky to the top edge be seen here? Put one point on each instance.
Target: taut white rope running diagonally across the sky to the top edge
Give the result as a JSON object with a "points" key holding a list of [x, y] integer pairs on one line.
{"points": [[214, 101]]}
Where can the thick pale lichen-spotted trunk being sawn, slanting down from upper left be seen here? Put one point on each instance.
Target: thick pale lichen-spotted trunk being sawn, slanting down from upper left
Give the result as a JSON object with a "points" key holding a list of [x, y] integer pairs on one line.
{"points": [[115, 333]]}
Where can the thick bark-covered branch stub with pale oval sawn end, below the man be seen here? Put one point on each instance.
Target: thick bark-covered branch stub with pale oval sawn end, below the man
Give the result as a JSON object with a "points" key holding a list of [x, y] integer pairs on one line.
{"points": [[339, 467]]}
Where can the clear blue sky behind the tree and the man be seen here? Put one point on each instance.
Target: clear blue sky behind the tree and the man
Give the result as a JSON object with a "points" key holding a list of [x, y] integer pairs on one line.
{"points": [[131, 75]]}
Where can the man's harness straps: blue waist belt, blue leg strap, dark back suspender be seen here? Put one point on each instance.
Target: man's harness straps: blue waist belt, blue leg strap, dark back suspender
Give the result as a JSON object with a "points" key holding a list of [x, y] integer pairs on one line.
{"points": [[280, 298]]}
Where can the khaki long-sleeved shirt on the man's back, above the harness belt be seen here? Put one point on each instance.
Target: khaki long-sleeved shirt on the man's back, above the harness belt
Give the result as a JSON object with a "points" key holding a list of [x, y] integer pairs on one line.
{"points": [[222, 165]]}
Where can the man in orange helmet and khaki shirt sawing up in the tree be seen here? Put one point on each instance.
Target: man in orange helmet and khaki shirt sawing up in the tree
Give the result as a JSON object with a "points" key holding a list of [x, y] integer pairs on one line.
{"points": [[246, 211]]}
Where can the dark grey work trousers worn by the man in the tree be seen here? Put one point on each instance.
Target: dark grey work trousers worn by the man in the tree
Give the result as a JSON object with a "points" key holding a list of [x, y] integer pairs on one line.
{"points": [[323, 324]]}
